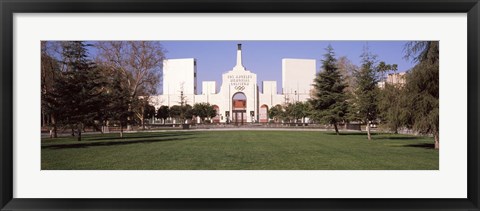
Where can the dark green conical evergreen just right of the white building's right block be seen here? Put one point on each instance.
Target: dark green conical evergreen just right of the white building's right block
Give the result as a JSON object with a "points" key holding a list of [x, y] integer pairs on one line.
{"points": [[329, 102]]}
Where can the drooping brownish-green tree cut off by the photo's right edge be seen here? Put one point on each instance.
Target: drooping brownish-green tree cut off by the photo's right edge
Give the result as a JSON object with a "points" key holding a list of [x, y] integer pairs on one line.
{"points": [[422, 86]]}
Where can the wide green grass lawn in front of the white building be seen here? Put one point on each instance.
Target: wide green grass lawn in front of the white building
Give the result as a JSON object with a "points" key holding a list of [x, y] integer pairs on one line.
{"points": [[249, 150]]}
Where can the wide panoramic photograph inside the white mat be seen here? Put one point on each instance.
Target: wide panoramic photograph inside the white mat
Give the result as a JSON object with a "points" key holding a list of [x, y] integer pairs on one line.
{"points": [[240, 105]]}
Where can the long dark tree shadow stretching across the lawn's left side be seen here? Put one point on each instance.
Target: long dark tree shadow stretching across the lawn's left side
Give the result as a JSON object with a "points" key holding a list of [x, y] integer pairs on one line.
{"points": [[124, 141]]}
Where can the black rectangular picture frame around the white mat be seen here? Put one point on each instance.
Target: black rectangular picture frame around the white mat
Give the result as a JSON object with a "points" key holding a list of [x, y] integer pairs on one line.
{"points": [[9, 7]]}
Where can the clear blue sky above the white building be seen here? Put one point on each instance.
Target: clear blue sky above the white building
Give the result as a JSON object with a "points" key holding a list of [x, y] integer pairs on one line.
{"points": [[265, 57]]}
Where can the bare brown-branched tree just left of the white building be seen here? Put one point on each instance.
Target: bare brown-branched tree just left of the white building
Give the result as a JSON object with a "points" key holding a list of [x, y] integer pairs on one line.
{"points": [[138, 61]]}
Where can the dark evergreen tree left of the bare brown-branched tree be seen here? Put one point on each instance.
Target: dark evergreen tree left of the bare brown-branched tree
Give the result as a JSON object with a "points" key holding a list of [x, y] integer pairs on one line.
{"points": [[79, 90]]}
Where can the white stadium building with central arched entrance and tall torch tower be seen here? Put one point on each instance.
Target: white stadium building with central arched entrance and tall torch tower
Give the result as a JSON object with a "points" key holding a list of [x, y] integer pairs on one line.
{"points": [[238, 99]]}
